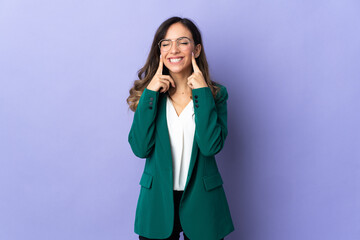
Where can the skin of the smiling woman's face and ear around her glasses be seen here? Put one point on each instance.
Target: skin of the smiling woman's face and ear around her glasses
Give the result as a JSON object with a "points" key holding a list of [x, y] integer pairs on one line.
{"points": [[174, 32]]}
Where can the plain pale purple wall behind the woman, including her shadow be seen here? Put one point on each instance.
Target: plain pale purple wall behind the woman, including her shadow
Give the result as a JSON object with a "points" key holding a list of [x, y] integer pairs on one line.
{"points": [[291, 162]]}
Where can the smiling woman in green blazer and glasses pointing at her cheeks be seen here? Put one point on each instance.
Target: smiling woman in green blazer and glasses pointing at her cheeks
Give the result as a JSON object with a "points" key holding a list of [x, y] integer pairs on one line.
{"points": [[180, 123]]}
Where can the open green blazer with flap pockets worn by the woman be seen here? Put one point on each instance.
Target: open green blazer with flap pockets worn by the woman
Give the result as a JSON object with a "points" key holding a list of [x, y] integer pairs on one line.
{"points": [[204, 211]]}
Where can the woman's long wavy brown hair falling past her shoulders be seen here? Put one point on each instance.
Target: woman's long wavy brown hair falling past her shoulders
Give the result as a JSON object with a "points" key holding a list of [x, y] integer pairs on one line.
{"points": [[147, 72]]}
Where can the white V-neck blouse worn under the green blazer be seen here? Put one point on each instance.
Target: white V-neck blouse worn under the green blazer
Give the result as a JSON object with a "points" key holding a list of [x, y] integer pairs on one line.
{"points": [[181, 132]]}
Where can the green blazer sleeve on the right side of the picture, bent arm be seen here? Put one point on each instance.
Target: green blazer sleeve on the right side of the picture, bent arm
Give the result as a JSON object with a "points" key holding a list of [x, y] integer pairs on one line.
{"points": [[210, 119]]}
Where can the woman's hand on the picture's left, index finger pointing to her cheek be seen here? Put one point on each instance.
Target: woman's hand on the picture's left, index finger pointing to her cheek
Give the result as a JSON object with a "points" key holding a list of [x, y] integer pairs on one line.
{"points": [[160, 81]]}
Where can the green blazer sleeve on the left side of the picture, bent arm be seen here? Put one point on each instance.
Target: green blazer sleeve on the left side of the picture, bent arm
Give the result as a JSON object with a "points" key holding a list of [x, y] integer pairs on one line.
{"points": [[141, 135]]}
